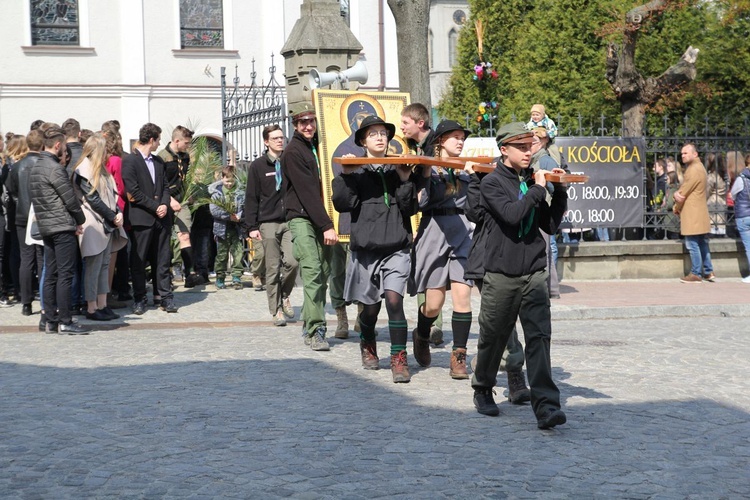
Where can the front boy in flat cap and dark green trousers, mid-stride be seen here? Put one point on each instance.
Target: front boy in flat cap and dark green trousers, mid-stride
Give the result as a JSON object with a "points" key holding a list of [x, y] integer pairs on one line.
{"points": [[515, 280]]}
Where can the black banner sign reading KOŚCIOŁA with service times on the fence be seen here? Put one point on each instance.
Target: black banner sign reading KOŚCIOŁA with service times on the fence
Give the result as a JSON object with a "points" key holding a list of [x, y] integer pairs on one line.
{"points": [[613, 196]]}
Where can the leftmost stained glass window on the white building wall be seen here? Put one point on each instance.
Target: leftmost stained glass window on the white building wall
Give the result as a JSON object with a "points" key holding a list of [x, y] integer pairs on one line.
{"points": [[54, 22]]}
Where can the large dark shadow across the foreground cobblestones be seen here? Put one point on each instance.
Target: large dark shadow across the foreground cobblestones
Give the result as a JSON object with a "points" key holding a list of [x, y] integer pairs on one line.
{"points": [[297, 427]]}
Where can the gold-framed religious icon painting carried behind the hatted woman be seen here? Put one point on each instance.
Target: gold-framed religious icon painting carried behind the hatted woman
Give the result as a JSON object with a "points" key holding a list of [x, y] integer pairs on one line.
{"points": [[339, 113]]}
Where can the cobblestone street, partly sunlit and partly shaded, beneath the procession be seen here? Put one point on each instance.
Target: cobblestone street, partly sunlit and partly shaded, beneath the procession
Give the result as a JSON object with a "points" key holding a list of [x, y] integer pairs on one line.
{"points": [[175, 406]]}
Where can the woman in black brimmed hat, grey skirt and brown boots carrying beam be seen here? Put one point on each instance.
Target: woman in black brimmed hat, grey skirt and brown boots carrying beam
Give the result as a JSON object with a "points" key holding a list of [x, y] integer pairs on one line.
{"points": [[381, 200]]}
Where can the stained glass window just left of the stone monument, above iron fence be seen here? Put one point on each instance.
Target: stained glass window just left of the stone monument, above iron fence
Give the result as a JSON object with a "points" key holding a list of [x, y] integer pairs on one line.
{"points": [[201, 24]]}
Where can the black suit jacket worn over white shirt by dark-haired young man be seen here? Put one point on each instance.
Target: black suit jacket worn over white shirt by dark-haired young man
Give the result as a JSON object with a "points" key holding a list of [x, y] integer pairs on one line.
{"points": [[144, 195]]}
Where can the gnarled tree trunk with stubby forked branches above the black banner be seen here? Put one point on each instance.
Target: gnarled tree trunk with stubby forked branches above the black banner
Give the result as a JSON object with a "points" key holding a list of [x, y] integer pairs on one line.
{"points": [[633, 91]]}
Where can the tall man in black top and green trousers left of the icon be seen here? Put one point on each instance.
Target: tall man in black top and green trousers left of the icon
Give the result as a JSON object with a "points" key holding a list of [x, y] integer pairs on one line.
{"points": [[312, 229]]}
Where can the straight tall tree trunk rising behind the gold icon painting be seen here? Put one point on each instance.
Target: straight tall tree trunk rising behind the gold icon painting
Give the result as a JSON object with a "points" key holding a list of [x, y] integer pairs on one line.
{"points": [[412, 28]]}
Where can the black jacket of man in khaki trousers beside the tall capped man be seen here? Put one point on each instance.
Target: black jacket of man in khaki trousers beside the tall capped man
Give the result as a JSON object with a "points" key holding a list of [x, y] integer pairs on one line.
{"points": [[262, 202]]}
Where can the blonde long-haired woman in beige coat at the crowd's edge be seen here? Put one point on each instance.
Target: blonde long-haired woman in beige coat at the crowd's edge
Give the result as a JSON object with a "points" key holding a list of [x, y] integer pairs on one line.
{"points": [[103, 219]]}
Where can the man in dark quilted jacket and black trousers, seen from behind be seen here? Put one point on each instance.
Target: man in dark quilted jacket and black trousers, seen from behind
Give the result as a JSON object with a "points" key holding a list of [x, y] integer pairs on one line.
{"points": [[60, 219]]}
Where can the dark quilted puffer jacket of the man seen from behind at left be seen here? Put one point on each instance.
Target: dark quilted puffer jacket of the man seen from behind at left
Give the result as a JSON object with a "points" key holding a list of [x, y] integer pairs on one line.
{"points": [[56, 207]]}
